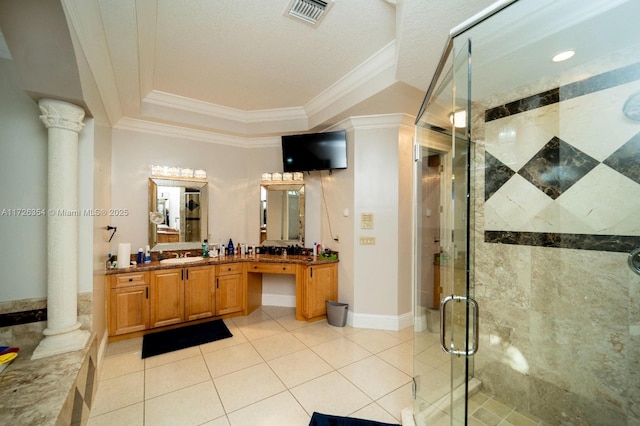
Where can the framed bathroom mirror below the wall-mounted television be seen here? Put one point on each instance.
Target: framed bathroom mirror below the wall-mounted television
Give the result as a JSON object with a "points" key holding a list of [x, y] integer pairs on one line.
{"points": [[282, 213]]}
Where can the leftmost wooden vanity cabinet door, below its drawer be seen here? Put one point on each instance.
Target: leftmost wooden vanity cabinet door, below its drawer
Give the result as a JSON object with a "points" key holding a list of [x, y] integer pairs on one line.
{"points": [[128, 309]]}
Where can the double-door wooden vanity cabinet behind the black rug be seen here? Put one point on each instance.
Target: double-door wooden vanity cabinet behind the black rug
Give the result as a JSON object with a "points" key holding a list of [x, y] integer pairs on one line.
{"points": [[182, 294]]}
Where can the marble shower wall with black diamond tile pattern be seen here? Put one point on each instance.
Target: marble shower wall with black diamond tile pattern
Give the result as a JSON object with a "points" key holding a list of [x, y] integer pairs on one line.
{"points": [[557, 202]]}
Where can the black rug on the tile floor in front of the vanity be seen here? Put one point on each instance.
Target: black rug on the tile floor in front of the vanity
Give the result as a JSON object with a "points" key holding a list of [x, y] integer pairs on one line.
{"points": [[183, 337]]}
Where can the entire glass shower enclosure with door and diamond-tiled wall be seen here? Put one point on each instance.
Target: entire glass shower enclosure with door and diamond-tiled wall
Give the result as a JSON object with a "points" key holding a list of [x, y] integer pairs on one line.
{"points": [[528, 193]]}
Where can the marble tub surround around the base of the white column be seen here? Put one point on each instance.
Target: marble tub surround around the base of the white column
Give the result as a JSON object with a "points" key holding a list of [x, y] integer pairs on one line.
{"points": [[55, 390]]}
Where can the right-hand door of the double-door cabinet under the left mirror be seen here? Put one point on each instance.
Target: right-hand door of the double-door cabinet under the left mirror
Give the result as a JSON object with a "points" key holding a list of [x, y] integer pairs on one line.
{"points": [[199, 293]]}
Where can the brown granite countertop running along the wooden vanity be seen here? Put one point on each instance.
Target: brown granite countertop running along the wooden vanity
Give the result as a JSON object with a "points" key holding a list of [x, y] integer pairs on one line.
{"points": [[262, 258]]}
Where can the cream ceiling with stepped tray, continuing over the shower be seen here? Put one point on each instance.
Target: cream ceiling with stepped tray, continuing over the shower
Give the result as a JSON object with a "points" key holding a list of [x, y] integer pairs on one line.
{"points": [[244, 71]]}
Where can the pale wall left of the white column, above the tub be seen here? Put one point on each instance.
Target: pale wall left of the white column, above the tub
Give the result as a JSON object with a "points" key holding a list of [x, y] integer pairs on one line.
{"points": [[23, 173]]}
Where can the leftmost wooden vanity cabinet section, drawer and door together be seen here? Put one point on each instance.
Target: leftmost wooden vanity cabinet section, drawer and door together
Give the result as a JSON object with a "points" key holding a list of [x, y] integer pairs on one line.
{"points": [[128, 303]]}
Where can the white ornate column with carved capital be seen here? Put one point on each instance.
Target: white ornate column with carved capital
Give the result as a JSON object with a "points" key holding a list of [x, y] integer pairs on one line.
{"points": [[63, 121]]}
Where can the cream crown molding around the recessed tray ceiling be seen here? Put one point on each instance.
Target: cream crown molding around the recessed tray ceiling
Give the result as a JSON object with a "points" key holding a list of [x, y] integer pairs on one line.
{"points": [[207, 121]]}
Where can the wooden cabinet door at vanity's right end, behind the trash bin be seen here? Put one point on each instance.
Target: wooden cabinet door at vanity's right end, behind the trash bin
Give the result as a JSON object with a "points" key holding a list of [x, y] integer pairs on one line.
{"points": [[322, 285]]}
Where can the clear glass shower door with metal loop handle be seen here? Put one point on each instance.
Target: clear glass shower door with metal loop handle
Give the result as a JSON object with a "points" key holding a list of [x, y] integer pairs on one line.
{"points": [[446, 328]]}
